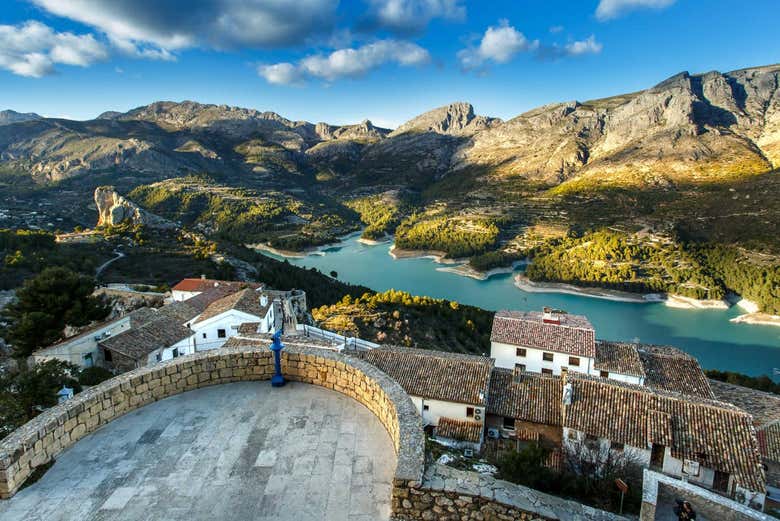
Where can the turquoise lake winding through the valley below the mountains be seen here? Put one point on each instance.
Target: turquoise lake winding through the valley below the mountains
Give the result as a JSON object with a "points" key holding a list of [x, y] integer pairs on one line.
{"points": [[706, 334]]}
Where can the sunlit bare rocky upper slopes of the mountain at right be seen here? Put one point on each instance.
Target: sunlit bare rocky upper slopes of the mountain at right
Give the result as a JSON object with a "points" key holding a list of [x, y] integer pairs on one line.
{"points": [[687, 125]]}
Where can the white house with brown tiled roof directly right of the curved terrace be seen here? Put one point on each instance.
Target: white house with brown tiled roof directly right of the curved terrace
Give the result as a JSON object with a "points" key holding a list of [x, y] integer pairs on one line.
{"points": [[450, 390]]}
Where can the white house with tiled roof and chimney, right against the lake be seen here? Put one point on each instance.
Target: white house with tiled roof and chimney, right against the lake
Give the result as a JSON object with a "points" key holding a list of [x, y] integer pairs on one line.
{"points": [[549, 343]]}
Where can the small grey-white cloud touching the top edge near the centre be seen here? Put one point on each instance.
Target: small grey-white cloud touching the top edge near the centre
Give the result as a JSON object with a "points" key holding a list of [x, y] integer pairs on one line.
{"points": [[410, 16]]}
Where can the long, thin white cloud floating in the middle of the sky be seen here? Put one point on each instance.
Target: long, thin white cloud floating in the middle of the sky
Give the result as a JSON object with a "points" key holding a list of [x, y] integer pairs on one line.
{"points": [[343, 63]]}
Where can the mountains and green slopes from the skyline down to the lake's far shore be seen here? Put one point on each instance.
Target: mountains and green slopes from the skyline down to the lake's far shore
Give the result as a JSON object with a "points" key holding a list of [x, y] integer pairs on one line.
{"points": [[670, 189]]}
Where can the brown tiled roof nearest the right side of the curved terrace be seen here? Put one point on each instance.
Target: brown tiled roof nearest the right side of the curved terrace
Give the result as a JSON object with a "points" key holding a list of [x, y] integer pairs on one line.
{"points": [[436, 375]]}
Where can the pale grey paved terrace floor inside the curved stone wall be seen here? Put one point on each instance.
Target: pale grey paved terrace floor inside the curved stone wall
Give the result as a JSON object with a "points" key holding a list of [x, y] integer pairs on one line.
{"points": [[232, 452]]}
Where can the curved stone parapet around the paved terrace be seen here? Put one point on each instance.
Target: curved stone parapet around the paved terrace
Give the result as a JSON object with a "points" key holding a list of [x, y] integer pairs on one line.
{"points": [[43, 438]]}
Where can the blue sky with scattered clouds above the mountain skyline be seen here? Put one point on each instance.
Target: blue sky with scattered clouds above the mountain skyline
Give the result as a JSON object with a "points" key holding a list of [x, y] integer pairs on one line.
{"points": [[385, 60]]}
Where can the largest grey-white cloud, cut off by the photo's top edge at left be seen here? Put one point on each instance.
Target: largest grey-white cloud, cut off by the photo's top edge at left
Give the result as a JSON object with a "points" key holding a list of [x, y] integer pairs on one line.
{"points": [[156, 28]]}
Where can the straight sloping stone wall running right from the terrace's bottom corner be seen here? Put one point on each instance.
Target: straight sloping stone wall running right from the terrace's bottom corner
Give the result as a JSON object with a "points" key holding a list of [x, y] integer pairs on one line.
{"points": [[448, 494]]}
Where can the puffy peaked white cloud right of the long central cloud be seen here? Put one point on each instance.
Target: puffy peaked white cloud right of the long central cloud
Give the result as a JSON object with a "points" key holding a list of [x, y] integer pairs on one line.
{"points": [[499, 44]]}
